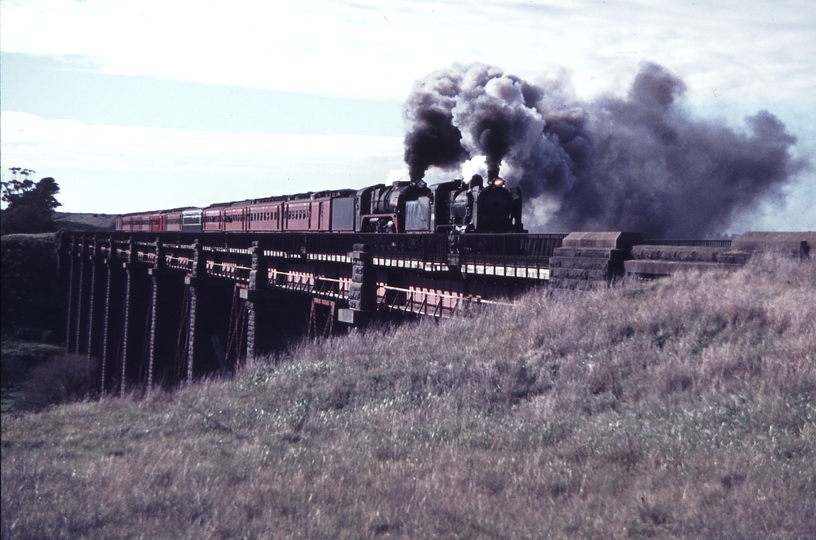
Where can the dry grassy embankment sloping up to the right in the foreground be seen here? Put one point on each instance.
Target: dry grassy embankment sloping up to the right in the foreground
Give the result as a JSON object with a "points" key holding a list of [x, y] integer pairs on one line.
{"points": [[681, 408]]}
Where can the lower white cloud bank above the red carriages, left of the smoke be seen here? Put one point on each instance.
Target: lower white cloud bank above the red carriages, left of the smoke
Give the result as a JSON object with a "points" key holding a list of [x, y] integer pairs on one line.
{"points": [[122, 169]]}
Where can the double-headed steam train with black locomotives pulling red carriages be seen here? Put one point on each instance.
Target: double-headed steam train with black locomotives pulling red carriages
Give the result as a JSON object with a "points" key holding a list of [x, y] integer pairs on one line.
{"points": [[404, 207]]}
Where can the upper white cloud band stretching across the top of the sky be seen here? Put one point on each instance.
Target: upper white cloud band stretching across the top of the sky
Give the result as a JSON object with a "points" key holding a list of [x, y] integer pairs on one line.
{"points": [[743, 50]]}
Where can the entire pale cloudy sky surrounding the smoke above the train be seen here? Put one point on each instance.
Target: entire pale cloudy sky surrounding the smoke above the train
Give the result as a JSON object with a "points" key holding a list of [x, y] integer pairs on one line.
{"points": [[141, 105]]}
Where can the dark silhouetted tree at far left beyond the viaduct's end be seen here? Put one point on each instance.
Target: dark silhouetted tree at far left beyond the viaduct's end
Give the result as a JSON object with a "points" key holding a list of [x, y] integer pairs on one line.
{"points": [[30, 204]]}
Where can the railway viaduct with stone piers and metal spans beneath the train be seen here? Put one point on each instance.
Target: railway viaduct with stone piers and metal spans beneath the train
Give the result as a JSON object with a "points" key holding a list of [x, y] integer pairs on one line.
{"points": [[163, 308]]}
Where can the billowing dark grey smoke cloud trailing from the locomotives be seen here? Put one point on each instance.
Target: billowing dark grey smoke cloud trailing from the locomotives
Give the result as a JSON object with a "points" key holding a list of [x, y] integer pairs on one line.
{"points": [[639, 163]]}
